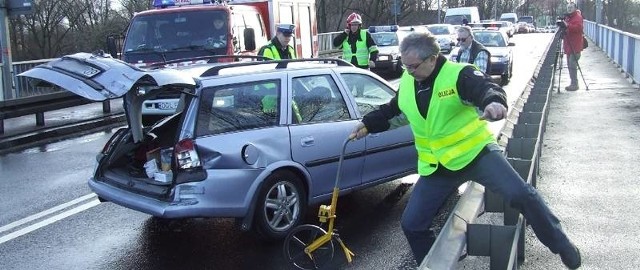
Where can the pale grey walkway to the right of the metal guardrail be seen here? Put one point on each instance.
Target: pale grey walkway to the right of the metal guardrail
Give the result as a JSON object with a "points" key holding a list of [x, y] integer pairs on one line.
{"points": [[589, 167]]}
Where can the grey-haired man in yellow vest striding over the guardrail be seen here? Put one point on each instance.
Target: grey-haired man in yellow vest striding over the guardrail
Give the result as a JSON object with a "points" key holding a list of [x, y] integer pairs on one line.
{"points": [[447, 105]]}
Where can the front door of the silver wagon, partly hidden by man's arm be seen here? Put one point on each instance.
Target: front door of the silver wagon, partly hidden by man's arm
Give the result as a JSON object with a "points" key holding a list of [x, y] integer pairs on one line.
{"points": [[387, 154]]}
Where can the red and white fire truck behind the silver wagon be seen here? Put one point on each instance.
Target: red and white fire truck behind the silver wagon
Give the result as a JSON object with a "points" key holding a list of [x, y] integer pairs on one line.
{"points": [[182, 29]]}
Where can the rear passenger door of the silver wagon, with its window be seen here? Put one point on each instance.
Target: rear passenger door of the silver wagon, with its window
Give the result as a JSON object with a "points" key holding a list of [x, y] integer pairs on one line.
{"points": [[321, 122]]}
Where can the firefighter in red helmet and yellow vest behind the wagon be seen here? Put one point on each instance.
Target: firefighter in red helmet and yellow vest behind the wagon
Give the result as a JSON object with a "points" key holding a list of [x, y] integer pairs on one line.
{"points": [[358, 47]]}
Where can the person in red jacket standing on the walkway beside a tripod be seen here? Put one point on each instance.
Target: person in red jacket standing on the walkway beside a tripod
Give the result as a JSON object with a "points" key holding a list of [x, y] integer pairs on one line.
{"points": [[572, 43]]}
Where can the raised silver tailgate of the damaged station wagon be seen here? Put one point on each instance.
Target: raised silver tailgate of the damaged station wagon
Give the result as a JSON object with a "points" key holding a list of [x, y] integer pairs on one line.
{"points": [[98, 78]]}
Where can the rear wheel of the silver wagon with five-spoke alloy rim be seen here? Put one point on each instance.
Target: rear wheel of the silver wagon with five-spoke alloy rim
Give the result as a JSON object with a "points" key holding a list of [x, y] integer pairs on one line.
{"points": [[281, 205]]}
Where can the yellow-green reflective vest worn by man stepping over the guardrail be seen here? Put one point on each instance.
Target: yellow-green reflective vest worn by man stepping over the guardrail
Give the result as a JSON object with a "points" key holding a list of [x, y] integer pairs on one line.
{"points": [[452, 135]]}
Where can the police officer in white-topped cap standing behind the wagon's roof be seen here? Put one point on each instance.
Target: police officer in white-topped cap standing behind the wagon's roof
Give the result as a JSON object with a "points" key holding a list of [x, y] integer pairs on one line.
{"points": [[279, 48]]}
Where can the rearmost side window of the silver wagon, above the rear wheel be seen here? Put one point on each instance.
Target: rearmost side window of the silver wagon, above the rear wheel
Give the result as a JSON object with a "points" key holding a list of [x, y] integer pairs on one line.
{"points": [[236, 107]]}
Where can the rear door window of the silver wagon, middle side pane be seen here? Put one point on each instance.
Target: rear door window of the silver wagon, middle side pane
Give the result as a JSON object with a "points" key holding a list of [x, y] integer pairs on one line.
{"points": [[317, 99]]}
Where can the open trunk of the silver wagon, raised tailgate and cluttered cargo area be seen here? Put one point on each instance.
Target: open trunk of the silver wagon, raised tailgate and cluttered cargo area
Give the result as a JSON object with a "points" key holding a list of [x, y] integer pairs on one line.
{"points": [[137, 158]]}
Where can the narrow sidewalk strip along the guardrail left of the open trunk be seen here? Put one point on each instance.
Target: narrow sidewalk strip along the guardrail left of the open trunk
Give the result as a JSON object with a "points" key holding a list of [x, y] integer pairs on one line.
{"points": [[22, 131]]}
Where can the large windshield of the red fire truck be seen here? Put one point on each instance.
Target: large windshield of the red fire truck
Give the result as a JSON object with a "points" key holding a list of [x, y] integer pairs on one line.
{"points": [[168, 36]]}
